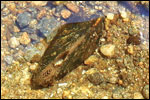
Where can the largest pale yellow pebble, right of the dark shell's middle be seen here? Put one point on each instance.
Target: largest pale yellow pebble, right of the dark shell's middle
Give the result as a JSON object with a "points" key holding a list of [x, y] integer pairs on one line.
{"points": [[108, 50]]}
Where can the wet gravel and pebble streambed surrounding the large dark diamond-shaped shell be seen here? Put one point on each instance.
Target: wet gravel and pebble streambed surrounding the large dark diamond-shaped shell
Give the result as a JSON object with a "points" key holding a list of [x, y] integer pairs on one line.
{"points": [[120, 75]]}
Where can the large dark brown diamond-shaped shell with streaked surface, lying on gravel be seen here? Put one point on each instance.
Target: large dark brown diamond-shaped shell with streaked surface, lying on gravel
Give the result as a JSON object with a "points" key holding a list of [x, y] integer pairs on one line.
{"points": [[73, 43]]}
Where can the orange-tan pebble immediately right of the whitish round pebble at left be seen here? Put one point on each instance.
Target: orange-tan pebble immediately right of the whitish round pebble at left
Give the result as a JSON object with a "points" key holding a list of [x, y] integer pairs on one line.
{"points": [[25, 39]]}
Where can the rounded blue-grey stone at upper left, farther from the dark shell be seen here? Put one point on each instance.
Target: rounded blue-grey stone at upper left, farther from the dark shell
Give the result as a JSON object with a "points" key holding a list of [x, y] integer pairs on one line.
{"points": [[23, 19]]}
